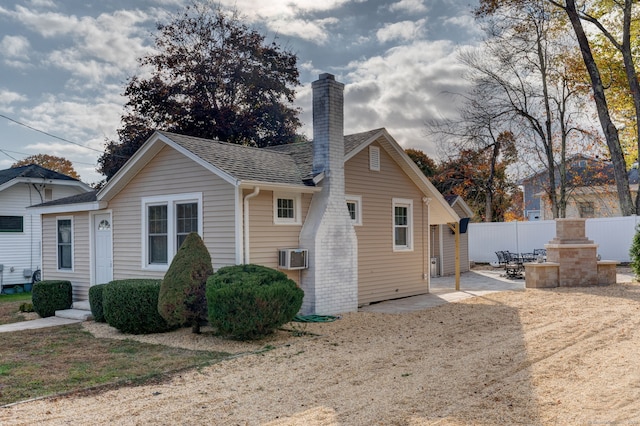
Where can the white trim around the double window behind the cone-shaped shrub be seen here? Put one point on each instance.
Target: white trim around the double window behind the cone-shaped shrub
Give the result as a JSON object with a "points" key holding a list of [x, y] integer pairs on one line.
{"points": [[170, 201]]}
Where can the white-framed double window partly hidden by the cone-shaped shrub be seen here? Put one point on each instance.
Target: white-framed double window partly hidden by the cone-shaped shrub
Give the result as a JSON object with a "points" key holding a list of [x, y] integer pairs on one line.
{"points": [[167, 220]]}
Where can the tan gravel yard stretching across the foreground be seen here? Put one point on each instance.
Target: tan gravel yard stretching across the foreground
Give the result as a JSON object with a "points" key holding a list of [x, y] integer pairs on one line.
{"points": [[562, 356]]}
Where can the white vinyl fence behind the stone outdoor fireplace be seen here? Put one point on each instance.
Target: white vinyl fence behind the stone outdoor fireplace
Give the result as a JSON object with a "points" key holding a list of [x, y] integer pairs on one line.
{"points": [[612, 234]]}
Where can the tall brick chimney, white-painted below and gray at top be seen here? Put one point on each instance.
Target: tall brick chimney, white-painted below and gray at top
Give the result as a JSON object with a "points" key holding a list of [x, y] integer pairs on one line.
{"points": [[331, 282]]}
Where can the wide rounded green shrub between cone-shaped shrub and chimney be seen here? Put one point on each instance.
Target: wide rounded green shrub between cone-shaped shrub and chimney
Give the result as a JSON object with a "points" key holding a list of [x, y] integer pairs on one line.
{"points": [[251, 301]]}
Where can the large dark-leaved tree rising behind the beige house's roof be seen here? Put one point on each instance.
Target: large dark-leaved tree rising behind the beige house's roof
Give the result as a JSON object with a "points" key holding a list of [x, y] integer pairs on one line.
{"points": [[211, 76]]}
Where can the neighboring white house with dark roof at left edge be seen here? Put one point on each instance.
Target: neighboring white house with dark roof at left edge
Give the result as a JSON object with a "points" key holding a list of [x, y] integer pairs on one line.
{"points": [[20, 228]]}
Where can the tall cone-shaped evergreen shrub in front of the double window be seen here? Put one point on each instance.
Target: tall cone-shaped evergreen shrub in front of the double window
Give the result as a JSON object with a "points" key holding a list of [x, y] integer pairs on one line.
{"points": [[182, 298]]}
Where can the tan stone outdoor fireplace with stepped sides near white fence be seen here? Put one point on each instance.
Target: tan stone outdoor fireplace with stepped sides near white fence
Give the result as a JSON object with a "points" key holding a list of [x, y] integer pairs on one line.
{"points": [[572, 260]]}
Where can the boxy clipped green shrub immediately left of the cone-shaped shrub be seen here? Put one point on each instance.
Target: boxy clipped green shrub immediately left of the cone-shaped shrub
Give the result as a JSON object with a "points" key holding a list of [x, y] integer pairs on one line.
{"points": [[131, 306]]}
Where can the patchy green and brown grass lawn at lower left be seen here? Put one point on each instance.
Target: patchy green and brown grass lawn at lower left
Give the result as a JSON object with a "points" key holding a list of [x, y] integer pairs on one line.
{"points": [[35, 363]]}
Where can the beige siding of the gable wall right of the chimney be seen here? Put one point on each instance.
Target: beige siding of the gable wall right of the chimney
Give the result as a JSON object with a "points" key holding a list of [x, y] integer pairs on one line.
{"points": [[382, 273]]}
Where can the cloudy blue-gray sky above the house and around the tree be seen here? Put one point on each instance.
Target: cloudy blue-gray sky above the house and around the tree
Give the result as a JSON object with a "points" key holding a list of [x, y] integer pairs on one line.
{"points": [[64, 65]]}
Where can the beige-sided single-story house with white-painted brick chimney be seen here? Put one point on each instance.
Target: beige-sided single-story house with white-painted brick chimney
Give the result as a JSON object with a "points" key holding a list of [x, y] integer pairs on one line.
{"points": [[346, 217]]}
